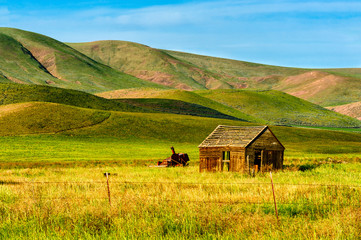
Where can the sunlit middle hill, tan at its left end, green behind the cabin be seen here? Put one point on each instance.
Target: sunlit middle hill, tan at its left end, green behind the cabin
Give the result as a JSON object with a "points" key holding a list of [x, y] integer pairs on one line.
{"points": [[264, 107]]}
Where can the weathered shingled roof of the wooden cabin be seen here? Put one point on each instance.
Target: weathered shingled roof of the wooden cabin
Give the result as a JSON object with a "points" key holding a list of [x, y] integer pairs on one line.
{"points": [[232, 136]]}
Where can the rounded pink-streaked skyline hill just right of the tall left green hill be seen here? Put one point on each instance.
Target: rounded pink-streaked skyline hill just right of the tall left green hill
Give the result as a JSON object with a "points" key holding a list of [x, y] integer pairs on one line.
{"points": [[151, 64]]}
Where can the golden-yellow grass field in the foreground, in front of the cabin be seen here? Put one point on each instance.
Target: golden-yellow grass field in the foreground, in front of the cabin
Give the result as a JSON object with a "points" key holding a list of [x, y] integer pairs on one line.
{"points": [[322, 201]]}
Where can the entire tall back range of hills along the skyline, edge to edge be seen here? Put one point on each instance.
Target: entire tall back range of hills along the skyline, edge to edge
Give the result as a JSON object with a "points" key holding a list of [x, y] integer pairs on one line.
{"points": [[111, 65]]}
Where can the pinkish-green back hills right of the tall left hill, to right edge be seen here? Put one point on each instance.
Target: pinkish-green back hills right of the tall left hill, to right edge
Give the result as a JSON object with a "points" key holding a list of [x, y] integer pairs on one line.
{"points": [[195, 72]]}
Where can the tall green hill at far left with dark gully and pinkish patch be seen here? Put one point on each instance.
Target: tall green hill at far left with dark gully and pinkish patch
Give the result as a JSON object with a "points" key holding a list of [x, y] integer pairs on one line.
{"points": [[37, 59]]}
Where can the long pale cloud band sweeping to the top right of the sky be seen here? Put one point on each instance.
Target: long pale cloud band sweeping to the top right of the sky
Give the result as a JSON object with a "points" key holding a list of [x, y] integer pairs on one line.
{"points": [[207, 12]]}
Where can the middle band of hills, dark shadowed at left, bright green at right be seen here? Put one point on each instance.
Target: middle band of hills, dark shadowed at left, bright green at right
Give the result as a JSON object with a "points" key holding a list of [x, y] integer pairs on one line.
{"points": [[262, 107]]}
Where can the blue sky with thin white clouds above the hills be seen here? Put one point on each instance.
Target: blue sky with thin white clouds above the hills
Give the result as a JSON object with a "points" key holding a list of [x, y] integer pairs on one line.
{"points": [[307, 34]]}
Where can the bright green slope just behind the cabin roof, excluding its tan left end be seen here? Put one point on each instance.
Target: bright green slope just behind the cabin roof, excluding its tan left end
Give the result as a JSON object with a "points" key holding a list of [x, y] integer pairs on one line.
{"points": [[276, 107]]}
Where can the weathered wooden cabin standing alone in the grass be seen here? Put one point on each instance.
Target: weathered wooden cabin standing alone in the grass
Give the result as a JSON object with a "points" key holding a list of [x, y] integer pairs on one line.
{"points": [[240, 149]]}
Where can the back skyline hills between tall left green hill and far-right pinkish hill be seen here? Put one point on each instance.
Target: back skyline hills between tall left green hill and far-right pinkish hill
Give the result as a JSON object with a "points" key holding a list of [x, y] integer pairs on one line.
{"points": [[182, 70]]}
